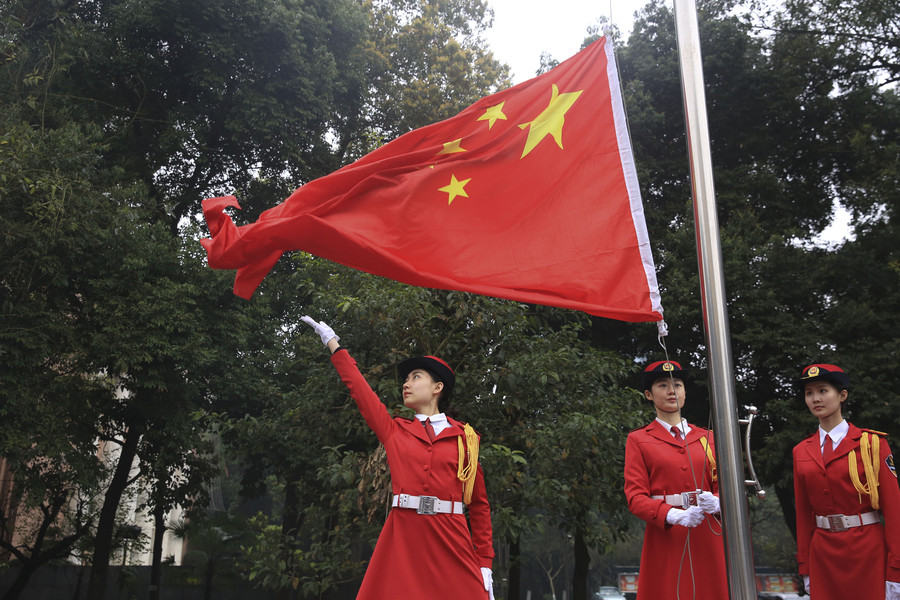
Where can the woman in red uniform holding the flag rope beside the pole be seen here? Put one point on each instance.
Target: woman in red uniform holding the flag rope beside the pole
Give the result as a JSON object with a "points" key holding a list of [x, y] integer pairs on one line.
{"points": [[671, 483]]}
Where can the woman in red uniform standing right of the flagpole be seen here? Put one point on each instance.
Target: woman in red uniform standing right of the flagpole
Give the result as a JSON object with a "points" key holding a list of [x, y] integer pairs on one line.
{"points": [[844, 482]]}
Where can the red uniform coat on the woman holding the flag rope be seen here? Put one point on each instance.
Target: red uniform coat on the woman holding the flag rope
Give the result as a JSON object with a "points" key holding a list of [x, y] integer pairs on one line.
{"points": [[658, 465]]}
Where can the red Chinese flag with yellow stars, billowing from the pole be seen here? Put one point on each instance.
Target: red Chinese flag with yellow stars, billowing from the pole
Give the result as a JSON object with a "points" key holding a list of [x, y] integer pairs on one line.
{"points": [[529, 194]]}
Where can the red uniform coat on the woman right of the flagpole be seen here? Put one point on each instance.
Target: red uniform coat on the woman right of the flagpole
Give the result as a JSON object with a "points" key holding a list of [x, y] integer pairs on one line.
{"points": [[852, 563]]}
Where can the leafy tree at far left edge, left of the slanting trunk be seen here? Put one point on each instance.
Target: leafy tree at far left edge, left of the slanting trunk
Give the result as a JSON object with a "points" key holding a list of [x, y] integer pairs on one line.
{"points": [[49, 228]]}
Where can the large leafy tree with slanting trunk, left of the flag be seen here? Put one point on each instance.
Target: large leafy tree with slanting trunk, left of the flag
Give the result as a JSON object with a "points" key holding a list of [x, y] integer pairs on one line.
{"points": [[163, 93]]}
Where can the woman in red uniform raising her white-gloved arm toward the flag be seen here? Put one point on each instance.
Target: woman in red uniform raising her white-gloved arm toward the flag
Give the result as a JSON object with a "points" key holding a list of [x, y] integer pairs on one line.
{"points": [[426, 548]]}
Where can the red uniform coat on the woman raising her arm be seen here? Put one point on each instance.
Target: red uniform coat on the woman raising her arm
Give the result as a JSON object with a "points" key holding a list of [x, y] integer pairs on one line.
{"points": [[422, 556]]}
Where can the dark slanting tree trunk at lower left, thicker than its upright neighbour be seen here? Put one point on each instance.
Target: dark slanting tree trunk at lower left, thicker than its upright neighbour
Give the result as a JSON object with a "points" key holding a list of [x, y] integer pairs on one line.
{"points": [[106, 525]]}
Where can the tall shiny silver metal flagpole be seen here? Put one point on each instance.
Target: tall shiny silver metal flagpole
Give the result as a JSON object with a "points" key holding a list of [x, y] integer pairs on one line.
{"points": [[735, 515]]}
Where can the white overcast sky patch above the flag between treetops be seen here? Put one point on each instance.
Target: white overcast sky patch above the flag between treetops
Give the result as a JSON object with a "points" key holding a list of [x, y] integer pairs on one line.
{"points": [[523, 29]]}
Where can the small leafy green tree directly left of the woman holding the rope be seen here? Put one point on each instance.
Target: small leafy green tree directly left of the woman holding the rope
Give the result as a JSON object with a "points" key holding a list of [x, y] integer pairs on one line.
{"points": [[576, 448]]}
